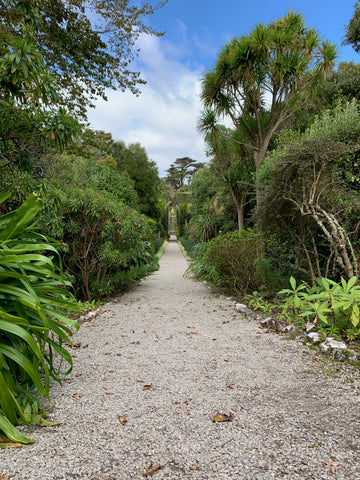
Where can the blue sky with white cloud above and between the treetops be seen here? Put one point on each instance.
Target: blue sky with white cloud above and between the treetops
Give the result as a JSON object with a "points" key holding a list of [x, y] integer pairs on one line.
{"points": [[163, 119]]}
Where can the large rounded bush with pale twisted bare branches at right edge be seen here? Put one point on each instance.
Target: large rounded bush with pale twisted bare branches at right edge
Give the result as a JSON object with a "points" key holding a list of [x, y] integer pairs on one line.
{"points": [[310, 200]]}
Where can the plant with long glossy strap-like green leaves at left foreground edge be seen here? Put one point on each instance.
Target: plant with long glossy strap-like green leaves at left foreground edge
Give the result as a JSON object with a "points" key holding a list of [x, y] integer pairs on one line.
{"points": [[33, 328]]}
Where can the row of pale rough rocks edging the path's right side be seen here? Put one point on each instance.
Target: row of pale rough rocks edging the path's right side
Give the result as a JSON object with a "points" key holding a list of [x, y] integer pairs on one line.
{"points": [[329, 346]]}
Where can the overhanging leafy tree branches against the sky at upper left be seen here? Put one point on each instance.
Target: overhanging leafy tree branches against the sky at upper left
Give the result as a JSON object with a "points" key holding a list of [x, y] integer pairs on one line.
{"points": [[88, 45]]}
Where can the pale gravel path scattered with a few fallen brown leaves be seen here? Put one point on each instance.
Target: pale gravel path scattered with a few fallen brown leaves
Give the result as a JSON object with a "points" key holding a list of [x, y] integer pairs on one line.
{"points": [[295, 415]]}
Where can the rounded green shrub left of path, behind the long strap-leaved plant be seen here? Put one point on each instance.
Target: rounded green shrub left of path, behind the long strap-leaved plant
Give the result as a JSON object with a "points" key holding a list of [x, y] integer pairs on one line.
{"points": [[105, 239]]}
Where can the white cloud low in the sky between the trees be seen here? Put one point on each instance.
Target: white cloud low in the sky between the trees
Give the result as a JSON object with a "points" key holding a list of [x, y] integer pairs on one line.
{"points": [[164, 117]]}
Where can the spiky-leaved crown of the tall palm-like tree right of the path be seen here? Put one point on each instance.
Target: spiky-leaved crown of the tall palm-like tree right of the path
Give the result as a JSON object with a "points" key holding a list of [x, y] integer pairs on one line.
{"points": [[262, 79]]}
